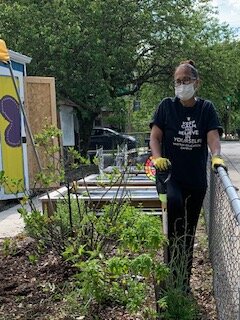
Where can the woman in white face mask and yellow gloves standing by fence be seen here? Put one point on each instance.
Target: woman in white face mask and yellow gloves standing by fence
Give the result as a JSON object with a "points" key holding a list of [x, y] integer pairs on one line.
{"points": [[182, 129]]}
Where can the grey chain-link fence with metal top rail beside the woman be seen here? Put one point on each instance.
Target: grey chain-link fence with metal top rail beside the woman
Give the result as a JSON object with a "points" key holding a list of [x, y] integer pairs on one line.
{"points": [[222, 211]]}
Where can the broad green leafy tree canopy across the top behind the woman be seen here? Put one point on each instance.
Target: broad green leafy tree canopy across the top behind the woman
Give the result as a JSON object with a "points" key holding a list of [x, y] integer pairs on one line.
{"points": [[102, 50]]}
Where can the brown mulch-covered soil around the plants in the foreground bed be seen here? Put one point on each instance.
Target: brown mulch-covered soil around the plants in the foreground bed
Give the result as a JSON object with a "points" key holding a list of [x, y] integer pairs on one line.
{"points": [[31, 284]]}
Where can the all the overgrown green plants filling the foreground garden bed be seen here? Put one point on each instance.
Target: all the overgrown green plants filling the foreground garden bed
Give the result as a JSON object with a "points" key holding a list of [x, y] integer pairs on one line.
{"points": [[115, 251]]}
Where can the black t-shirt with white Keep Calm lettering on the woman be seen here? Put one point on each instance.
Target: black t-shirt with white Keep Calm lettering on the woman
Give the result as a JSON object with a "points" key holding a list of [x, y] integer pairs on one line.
{"points": [[185, 138]]}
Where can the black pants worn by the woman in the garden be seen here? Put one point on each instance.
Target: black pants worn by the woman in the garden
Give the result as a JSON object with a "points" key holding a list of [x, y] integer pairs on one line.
{"points": [[183, 207]]}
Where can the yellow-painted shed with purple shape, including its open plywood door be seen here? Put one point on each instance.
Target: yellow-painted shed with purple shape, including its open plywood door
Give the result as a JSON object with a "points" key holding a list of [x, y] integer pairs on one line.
{"points": [[17, 156]]}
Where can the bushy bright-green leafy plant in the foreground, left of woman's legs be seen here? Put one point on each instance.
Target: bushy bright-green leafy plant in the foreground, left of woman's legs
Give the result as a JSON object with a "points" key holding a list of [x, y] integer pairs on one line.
{"points": [[133, 239]]}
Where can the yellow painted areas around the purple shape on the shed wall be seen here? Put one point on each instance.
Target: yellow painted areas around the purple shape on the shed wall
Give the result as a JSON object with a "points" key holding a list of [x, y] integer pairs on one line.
{"points": [[12, 157]]}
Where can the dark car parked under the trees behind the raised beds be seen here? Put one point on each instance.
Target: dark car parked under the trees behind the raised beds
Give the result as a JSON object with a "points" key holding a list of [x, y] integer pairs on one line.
{"points": [[110, 139]]}
